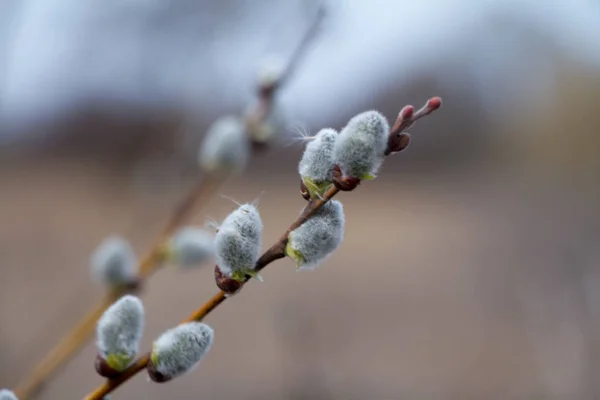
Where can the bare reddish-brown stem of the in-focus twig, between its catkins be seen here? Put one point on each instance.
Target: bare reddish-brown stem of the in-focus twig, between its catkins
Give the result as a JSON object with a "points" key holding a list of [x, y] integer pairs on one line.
{"points": [[275, 252]]}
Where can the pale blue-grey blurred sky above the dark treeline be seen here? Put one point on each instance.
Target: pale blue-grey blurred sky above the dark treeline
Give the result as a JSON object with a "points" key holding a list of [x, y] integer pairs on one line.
{"points": [[203, 55]]}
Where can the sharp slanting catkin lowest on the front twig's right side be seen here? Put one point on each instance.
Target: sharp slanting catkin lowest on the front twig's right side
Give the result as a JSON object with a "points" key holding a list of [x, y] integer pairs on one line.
{"points": [[179, 350]]}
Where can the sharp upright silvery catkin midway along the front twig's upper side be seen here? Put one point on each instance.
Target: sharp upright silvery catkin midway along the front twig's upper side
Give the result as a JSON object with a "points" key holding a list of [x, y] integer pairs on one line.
{"points": [[238, 241]]}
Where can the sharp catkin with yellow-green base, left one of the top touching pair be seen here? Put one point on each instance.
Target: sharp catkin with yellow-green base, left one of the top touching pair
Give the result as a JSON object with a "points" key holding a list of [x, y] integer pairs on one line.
{"points": [[316, 165]]}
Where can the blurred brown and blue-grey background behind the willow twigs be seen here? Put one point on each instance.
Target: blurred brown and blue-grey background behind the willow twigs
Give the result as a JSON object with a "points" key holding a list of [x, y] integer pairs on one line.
{"points": [[470, 268]]}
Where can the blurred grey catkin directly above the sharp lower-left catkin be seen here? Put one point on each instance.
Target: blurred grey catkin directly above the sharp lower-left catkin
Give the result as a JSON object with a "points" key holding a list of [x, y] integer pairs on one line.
{"points": [[114, 261]]}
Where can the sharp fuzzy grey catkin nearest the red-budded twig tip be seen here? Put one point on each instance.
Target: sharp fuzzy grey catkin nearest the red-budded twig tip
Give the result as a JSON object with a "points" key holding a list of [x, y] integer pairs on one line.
{"points": [[360, 147]]}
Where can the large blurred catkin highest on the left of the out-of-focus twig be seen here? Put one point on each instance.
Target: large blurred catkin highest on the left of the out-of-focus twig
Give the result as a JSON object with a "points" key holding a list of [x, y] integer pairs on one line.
{"points": [[225, 147]]}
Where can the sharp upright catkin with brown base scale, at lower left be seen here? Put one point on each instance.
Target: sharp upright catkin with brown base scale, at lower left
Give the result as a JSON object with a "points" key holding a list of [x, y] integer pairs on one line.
{"points": [[119, 332]]}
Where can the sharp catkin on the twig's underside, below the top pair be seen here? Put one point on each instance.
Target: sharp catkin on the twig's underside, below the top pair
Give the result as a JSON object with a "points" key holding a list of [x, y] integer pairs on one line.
{"points": [[317, 238]]}
